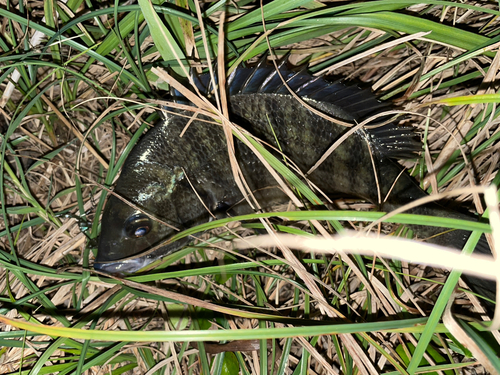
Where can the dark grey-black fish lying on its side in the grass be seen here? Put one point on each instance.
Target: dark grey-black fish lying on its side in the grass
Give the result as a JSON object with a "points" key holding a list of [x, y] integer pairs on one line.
{"points": [[183, 181]]}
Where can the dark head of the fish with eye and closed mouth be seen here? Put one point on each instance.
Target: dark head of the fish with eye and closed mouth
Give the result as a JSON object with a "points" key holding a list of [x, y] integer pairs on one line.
{"points": [[141, 218]]}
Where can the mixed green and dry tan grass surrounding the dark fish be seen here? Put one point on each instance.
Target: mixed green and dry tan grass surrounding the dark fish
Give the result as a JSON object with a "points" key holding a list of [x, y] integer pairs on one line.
{"points": [[80, 104]]}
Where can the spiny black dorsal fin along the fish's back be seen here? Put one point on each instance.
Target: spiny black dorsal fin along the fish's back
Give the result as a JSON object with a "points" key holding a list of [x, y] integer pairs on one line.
{"points": [[390, 140]]}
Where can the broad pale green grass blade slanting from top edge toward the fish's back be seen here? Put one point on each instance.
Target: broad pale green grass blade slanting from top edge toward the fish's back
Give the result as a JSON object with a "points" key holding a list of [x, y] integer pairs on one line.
{"points": [[167, 45]]}
